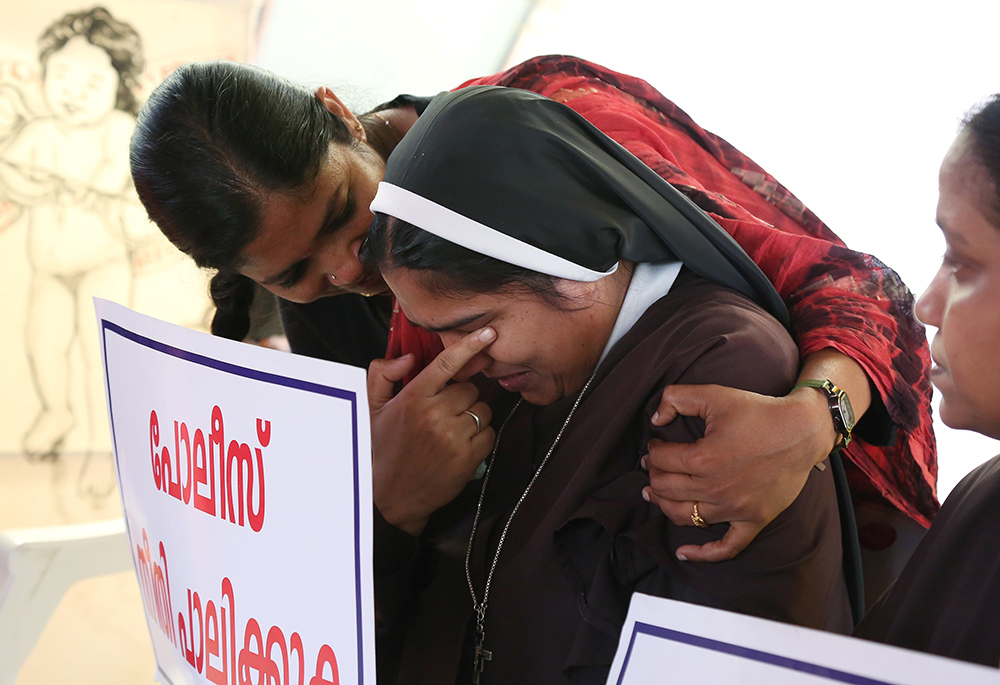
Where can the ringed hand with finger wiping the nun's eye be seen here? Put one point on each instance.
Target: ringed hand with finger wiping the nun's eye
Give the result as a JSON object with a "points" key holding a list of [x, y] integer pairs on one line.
{"points": [[425, 447]]}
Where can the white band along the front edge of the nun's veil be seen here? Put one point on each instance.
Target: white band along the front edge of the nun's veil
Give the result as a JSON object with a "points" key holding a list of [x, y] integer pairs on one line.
{"points": [[461, 230]]}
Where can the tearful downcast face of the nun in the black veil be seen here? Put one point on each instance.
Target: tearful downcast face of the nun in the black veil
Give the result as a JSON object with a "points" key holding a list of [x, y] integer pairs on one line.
{"points": [[542, 352]]}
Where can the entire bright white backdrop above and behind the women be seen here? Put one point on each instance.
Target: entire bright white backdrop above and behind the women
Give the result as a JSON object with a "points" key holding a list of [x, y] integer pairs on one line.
{"points": [[851, 105]]}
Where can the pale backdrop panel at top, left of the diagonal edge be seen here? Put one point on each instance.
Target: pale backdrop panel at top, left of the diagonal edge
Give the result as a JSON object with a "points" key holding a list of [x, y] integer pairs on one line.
{"points": [[370, 52]]}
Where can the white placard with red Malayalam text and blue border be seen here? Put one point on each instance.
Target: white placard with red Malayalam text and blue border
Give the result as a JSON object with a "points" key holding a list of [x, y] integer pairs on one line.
{"points": [[245, 478]]}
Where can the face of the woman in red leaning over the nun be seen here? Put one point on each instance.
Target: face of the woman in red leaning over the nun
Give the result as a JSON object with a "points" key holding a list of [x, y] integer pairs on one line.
{"points": [[308, 243]]}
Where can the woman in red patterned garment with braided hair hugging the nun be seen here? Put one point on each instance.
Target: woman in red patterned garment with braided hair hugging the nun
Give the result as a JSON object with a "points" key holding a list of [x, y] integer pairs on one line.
{"points": [[232, 183]]}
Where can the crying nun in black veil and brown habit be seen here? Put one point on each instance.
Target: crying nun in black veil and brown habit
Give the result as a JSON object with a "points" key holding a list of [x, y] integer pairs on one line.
{"points": [[507, 211]]}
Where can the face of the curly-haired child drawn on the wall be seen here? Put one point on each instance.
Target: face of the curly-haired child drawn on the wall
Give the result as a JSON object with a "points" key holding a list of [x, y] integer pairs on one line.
{"points": [[81, 85]]}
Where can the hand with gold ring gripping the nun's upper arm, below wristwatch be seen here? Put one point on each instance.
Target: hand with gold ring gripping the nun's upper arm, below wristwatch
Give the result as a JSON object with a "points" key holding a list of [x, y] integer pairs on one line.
{"points": [[750, 466]]}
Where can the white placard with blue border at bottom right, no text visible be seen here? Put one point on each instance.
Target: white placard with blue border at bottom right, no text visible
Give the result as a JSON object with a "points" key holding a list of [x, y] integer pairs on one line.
{"points": [[668, 641]]}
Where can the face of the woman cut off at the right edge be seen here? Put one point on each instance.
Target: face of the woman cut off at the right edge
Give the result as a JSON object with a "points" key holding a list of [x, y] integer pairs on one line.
{"points": [[963, 300]]}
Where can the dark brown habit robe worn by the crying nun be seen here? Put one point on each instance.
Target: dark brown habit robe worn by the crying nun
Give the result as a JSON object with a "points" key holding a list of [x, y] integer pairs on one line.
{"points": [[584, 539]]}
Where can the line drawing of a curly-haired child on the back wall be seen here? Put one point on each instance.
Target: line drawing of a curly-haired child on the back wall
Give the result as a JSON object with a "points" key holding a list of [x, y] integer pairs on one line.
{"points": [[68, 171]]}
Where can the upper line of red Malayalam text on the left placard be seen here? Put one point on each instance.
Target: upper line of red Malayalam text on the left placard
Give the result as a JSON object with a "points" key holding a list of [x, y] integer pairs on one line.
{"points": [[199, 462]]}
